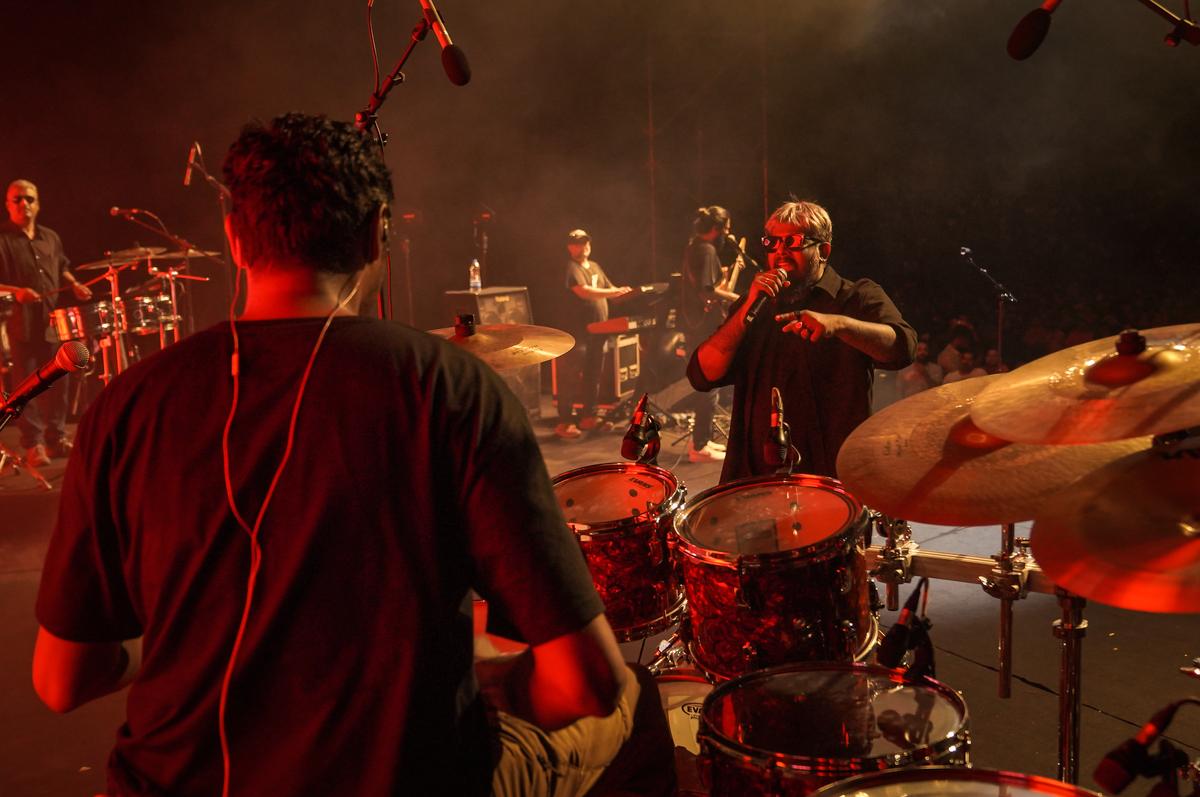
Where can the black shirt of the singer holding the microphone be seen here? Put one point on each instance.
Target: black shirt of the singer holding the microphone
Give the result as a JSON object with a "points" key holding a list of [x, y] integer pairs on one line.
{"points": [[826, 386]]}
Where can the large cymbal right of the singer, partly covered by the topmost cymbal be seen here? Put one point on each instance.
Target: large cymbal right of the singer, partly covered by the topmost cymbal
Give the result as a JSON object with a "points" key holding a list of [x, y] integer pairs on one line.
{"points": [[925, 460]]}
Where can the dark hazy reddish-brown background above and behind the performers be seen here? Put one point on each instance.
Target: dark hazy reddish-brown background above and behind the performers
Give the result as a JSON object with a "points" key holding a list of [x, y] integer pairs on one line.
{"points": [[1072, 175]]}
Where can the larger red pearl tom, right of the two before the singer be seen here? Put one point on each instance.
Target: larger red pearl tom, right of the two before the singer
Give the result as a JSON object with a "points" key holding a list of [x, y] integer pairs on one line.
{"points": [[775, 573]]}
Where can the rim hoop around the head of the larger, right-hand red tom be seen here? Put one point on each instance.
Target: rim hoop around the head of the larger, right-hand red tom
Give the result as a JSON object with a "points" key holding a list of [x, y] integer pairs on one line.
{"points": [[811, 554]]}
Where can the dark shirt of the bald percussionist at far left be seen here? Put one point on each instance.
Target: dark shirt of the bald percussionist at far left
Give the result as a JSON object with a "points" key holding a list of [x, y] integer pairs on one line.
{"points": [[34, 263]]}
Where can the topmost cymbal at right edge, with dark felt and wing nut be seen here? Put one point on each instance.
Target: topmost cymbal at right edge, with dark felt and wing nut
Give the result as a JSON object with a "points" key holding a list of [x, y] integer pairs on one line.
{"points": [[1090, 394]]}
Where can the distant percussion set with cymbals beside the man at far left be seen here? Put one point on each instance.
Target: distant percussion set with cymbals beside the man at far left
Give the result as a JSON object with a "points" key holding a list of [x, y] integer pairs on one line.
{"points": [[152, 309]]}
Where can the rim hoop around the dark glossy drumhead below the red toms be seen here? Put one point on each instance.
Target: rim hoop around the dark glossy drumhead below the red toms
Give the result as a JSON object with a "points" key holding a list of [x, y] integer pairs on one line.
{"points": [[805, 764]]}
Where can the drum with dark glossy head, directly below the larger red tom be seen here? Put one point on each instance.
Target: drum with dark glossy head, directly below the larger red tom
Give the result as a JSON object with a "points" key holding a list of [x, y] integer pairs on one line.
{"points": [[791, 730]]}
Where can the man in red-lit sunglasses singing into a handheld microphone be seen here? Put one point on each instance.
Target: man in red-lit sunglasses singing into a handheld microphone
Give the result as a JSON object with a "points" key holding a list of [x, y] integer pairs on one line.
{"points": [[819, 339]]}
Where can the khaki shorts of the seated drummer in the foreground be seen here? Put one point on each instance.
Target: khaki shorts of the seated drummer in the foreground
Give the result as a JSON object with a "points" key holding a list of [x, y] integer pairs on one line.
{"points": [[567, 762]]}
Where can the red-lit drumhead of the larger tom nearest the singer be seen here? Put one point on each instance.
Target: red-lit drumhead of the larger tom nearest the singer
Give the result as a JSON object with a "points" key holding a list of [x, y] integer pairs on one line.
{"points": [[766, 517]]}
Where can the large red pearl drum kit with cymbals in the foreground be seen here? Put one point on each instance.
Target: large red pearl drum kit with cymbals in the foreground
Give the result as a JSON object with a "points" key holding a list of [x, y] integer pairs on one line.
{"points": [[767, 579]]}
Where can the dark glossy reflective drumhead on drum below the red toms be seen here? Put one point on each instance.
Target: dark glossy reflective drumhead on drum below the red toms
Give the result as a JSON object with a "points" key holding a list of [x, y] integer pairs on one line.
{"points": [[850, 712]]}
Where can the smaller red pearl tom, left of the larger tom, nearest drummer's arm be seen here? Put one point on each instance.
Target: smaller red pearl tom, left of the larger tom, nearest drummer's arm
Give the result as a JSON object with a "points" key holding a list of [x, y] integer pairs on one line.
{"points": [[621, 514]]}
